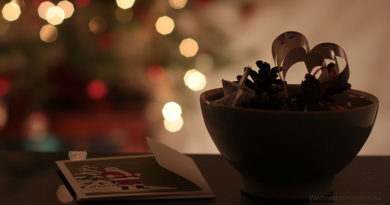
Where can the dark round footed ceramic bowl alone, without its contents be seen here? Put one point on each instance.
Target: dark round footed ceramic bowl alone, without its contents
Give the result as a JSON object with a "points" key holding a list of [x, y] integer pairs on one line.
{"points": [[289, 154]]}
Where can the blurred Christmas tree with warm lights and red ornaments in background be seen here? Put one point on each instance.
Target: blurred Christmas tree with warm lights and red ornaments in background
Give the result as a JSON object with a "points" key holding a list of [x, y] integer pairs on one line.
{"points": [[86, 66]]}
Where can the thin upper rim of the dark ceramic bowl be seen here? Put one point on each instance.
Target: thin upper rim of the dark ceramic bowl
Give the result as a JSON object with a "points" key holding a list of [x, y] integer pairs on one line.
{"points": [[371, 97]]}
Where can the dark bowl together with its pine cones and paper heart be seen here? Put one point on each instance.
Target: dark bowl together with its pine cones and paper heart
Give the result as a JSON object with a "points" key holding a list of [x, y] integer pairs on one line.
{"points": [[290, 141]]}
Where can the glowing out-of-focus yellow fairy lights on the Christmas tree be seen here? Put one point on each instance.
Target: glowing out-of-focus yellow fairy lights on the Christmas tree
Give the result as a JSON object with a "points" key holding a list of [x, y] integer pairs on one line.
{"points": [[56, 14]]}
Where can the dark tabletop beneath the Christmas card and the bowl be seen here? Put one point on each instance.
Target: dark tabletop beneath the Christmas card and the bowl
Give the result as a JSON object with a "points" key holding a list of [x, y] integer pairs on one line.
{"points": [[31, 178]]}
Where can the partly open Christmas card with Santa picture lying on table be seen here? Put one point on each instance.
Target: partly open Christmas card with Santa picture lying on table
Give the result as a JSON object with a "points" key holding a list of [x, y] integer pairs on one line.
{"points": [[166, 174]]}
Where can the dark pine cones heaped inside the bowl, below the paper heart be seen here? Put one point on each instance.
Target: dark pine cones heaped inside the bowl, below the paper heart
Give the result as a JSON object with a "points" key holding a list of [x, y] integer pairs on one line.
{"points": [[271, 91]]}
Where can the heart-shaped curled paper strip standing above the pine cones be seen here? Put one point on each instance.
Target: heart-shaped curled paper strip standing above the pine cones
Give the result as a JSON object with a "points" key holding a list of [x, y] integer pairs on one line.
{"points": [[292, 47]]}
